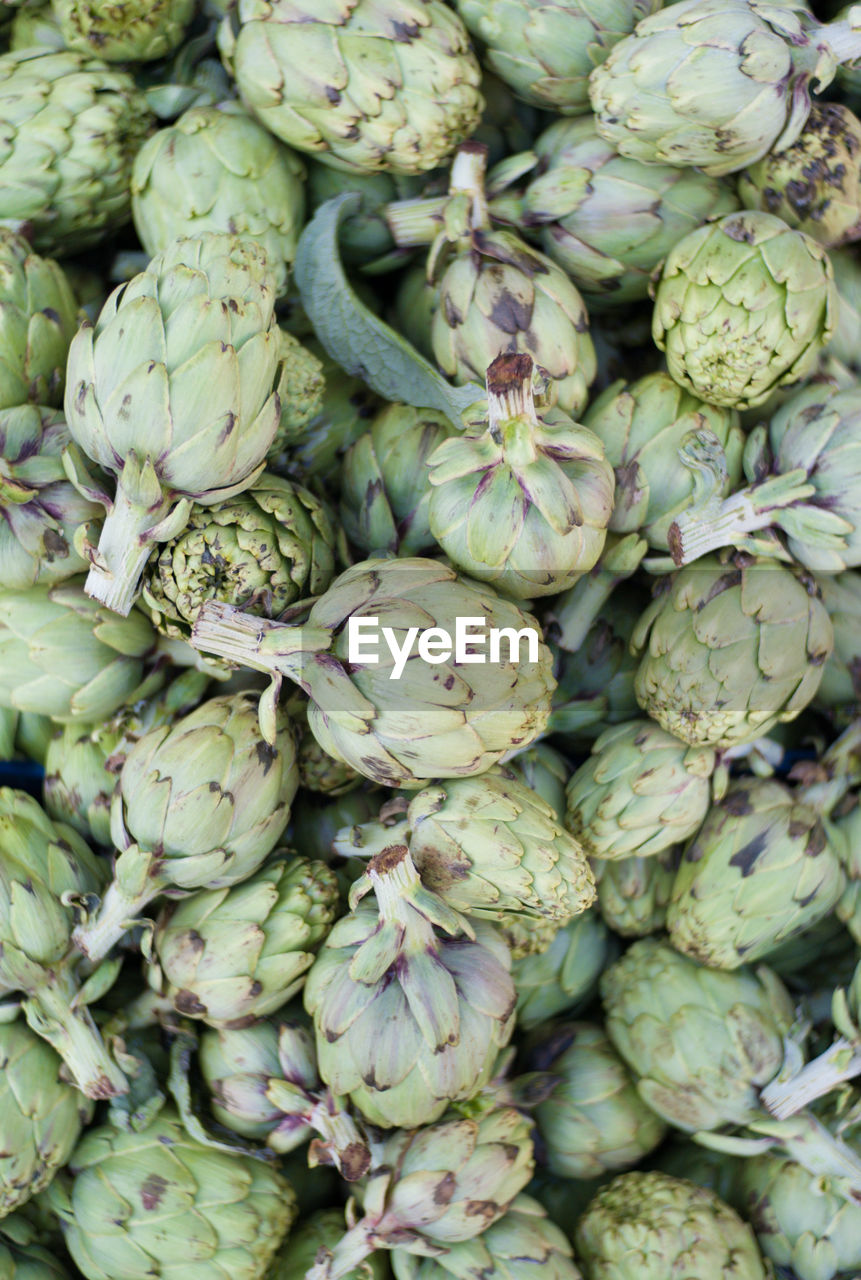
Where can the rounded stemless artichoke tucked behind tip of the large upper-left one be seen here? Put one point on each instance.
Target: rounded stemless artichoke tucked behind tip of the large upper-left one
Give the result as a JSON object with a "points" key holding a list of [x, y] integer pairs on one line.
{"points": [[217, 170]]}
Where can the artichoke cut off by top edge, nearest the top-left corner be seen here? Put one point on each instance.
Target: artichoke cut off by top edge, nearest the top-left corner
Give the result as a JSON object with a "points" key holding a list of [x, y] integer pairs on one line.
{"points": [[132, 31]]}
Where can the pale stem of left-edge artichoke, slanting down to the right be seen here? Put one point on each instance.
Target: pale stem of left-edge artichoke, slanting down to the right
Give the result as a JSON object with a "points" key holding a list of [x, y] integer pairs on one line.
{"points": [[72, 1032]]}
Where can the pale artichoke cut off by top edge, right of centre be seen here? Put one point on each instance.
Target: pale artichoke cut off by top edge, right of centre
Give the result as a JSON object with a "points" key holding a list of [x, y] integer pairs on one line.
{"points": [[546, 49]]}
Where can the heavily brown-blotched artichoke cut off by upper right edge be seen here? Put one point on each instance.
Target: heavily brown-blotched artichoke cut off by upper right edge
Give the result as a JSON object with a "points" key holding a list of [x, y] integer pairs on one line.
{"points": [[814, 185]]}
